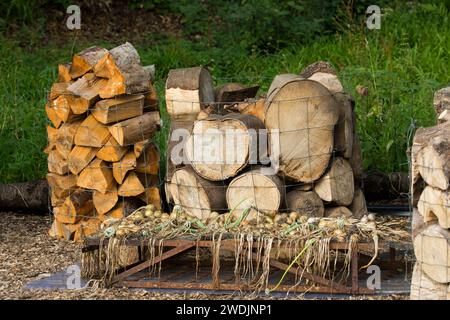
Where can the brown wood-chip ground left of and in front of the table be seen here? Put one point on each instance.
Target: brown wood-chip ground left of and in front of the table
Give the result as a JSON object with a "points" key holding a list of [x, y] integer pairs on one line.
{"points": [[27, 253]]}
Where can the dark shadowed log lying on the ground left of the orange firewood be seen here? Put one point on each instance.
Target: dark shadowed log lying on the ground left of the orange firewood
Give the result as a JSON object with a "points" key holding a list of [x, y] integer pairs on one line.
{"points": [[29, 196]]}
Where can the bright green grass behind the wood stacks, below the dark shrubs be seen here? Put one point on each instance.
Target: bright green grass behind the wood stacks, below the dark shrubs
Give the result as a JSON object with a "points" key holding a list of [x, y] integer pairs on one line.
{"points": [[402, 65]]}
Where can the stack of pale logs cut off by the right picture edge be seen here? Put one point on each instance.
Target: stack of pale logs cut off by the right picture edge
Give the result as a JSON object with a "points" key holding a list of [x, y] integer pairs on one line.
{"points": [[430, 188]]}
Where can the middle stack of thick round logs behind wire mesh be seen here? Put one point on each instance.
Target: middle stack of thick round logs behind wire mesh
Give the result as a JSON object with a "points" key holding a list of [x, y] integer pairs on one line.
{"points": [[310, 143]]}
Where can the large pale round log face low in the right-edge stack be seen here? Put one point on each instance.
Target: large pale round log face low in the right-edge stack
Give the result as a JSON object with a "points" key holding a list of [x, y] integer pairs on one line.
{"points": [[432, 250]]}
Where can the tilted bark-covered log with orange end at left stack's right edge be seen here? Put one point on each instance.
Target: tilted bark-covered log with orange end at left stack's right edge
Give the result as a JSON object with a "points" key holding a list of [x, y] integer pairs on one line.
{"points": [[136, 129]]}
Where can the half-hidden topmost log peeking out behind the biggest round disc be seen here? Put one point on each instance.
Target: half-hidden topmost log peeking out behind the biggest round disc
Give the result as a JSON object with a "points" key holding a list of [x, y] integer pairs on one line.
{"points": [[325, 74]]}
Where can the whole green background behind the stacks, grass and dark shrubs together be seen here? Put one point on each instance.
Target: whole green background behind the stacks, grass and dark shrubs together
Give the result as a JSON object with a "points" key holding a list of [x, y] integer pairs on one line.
{"points": [[247, 41]]}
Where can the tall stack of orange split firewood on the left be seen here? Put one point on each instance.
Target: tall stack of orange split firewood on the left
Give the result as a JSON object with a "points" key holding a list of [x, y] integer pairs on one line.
{"points": [[102, 163]]}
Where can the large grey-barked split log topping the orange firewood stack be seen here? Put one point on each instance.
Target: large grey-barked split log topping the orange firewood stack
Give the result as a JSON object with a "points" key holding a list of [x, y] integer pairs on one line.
{"points": [[124, 73]]}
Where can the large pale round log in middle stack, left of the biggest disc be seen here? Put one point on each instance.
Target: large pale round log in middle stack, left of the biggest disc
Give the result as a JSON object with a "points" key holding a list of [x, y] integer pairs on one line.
{"points": [[218, 149]]}
